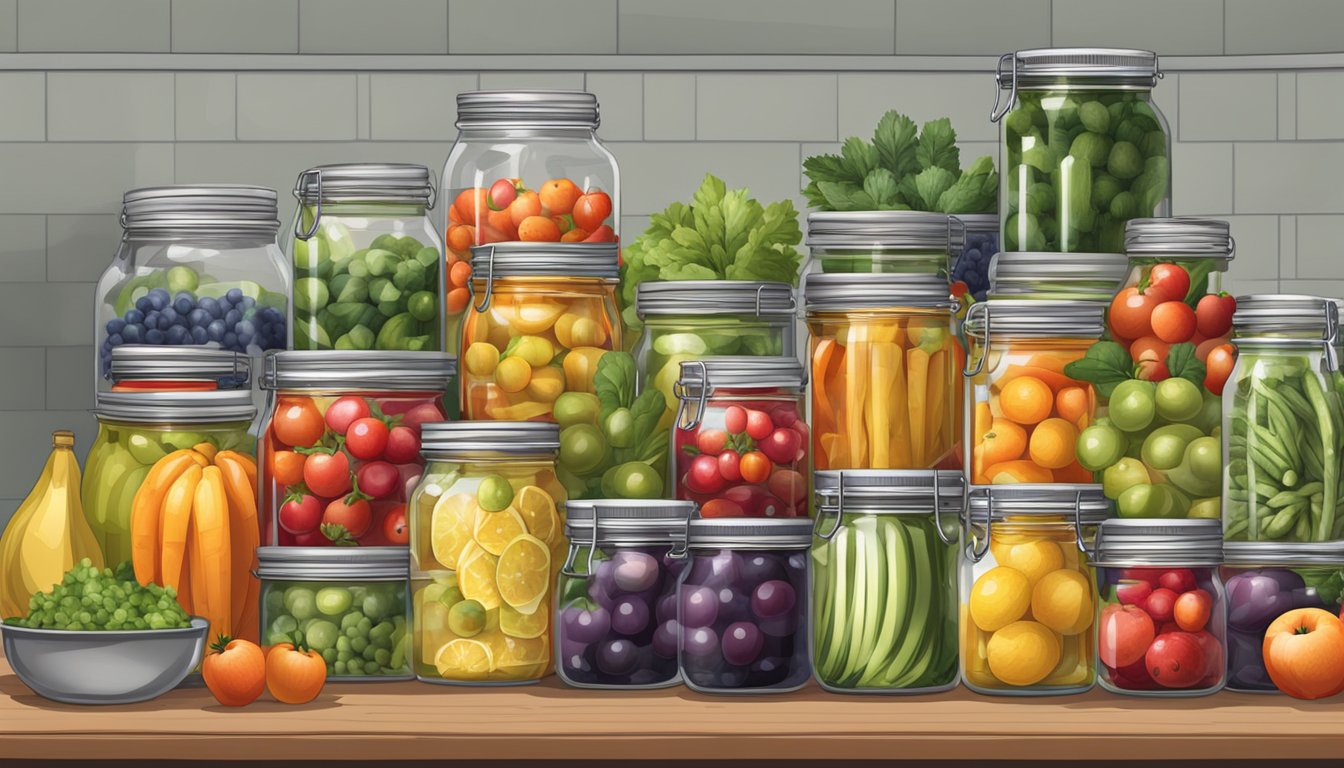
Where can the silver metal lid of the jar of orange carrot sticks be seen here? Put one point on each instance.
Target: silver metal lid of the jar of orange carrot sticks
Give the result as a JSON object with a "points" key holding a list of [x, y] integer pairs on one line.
{"points": [[842, 291]]}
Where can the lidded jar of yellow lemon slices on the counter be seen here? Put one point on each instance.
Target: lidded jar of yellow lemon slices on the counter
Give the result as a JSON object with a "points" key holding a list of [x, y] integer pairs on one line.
{"points": [[487, 544]]}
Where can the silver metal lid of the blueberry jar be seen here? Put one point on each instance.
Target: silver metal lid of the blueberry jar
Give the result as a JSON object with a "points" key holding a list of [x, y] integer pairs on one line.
{"points": [[217, 208]]}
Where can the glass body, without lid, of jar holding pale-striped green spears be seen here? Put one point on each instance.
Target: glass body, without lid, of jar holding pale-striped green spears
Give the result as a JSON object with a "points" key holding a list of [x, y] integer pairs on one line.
{"points": [[885, 606]]}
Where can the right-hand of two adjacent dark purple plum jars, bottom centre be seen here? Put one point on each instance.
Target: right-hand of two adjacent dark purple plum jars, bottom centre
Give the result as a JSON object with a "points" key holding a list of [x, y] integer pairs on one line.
{"points": [[743, 607]]}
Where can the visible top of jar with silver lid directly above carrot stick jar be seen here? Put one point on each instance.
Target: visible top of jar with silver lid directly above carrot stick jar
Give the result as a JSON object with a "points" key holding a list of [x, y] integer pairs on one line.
{"points": [[882, 243]]}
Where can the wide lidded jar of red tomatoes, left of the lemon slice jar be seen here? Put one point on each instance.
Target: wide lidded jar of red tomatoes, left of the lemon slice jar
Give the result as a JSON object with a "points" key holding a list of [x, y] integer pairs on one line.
{"points": [[341, 449]]}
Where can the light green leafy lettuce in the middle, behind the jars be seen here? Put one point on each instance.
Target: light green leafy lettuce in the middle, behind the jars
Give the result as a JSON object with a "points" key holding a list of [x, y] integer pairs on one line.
{"points": [[730, 236]]}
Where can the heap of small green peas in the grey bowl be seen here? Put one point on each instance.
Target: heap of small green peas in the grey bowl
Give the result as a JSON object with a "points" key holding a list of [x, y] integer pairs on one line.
{"points": [[89, 598]]}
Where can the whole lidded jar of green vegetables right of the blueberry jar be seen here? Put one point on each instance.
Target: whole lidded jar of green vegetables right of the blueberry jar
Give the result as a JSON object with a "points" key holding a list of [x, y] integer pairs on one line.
{"points": [[368, 262]]}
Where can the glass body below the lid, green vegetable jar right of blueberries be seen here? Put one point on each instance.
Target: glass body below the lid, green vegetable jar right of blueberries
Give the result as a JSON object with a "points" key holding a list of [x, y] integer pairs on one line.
{"points": [[369, 279]]}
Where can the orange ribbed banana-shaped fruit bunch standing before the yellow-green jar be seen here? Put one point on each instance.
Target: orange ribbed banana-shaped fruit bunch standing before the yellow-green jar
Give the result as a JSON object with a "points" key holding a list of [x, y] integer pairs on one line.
{"points": [[194, 528]]}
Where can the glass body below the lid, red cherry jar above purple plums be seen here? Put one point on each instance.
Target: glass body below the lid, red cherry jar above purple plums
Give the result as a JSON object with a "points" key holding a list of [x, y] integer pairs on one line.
{"points": [[729, 473]]}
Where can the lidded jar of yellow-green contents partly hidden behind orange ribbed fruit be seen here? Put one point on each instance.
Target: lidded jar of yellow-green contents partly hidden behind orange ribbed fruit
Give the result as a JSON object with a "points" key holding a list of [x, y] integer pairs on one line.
{"points": [[139, 428]]}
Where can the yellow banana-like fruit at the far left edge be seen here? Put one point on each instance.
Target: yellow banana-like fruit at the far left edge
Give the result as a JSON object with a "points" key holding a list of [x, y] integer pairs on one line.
{"points": [[48, 535]]}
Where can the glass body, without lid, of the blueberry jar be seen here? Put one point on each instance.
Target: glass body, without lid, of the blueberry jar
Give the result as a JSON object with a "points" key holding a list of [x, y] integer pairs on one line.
{"points": [[225, 290]]}
